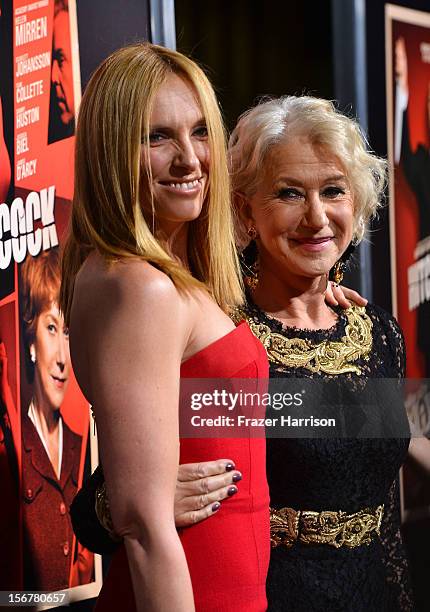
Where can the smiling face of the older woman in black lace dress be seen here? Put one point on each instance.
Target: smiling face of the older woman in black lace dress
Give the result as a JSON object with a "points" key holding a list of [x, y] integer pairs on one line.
{"points": [[303, 209]]}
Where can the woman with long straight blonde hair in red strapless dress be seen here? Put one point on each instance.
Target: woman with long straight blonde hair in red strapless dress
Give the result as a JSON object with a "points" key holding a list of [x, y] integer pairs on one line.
{"points": [[149, 273]]}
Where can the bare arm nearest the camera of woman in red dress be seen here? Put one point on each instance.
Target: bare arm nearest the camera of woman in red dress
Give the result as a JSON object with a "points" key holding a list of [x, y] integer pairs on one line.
{"points": [[135, 339]]}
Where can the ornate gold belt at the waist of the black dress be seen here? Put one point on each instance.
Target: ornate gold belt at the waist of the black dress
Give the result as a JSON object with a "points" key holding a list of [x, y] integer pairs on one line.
{"points": [[337, 529]]}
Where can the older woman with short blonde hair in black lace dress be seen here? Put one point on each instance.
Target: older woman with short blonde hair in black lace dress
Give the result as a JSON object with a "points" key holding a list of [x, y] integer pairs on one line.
{"points": [[305, 187]]}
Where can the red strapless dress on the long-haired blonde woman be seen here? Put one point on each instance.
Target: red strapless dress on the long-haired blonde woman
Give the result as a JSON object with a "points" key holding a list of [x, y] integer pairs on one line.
{"points": [[227, 554]]}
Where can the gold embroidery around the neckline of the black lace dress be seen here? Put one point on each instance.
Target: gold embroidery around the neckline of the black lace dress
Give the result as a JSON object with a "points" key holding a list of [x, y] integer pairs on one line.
{"points": [[328, 356]]}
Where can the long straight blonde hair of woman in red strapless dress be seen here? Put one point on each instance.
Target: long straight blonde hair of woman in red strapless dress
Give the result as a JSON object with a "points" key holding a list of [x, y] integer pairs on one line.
{"points": [[107, 214]]}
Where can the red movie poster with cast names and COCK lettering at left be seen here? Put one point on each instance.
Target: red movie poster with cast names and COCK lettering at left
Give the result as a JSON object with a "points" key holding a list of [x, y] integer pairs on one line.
{"points": [[46, 438]]}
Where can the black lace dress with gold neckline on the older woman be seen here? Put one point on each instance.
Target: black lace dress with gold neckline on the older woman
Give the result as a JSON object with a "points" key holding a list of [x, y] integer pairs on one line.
{"points": [[345, 473]]}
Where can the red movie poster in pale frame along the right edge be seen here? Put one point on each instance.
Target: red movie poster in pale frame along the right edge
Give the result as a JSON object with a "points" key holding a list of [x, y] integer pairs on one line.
{"points": [[408, 129]]}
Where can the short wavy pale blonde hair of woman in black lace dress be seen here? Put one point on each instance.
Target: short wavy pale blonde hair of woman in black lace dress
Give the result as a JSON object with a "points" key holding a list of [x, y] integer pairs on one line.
{"points": [[276, 120]]}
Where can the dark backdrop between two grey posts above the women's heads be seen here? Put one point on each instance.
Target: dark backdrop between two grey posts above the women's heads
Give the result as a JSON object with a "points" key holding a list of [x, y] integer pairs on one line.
{"points": [[258, 48]]}
